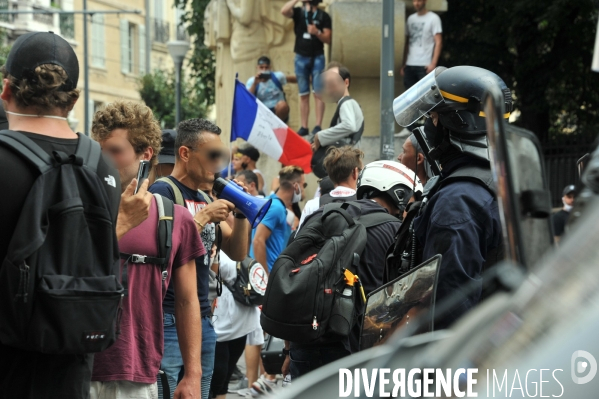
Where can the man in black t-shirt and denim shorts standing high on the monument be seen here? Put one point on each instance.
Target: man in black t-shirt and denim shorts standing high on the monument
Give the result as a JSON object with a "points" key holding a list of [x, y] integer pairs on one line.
{"points": [[313, 29]]}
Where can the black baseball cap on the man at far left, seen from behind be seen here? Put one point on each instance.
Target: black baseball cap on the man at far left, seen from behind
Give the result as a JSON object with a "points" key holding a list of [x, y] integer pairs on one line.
{"points": [[37, 48]]}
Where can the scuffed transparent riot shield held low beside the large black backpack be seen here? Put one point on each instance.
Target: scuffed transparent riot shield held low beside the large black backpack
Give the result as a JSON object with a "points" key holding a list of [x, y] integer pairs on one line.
{"points": [[399, 302]]}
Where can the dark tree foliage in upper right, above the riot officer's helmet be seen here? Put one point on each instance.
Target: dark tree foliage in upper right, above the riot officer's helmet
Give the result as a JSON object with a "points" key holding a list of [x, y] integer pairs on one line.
{"points": [[542, 50]]}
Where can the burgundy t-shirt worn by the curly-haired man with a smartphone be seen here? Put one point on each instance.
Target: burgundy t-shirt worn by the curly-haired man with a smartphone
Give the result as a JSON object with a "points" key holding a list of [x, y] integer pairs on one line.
{"points": [[137, 353]]}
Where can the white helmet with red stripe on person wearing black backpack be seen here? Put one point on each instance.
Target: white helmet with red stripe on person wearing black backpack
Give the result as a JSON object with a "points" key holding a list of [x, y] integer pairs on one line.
{"points": [[396, 180]]}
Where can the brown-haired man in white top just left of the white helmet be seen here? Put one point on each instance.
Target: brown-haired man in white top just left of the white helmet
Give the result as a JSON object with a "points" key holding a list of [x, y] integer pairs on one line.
{"points": [[343, 166]]}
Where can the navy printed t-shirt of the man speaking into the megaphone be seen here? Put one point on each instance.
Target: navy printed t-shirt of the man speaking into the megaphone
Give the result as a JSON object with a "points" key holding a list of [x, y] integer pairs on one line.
{"points": [[194, 201]]}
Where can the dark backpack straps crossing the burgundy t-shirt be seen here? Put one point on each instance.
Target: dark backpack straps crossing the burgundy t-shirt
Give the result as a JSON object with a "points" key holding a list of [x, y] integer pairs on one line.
{"points": [[166, 218]]}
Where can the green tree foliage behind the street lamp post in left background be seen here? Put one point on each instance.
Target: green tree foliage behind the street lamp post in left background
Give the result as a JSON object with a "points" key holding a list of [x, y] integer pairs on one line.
{"points": [[157, 90]]}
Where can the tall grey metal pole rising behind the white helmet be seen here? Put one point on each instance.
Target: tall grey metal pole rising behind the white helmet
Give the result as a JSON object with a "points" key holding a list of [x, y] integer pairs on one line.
{"points": [[387, 81]]}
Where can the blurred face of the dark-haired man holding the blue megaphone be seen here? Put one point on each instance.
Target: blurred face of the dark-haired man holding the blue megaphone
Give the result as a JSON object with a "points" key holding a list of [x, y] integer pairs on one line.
{"points": [[204, 159]]}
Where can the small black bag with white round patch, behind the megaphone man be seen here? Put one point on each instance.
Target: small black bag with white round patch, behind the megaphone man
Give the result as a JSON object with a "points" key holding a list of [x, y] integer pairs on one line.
{"points": [[250, 283]]}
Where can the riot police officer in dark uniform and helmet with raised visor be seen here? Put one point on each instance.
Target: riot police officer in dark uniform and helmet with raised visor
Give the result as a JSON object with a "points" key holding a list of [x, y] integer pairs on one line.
{"points": [[460, 217]]}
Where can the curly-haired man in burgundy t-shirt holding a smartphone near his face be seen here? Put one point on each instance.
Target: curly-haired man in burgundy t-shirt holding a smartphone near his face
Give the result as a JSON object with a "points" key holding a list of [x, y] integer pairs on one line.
{"points": [[129, 133]]}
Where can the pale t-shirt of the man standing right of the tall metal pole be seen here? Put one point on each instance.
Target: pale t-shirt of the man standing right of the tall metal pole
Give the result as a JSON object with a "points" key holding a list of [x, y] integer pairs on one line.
{"points": [[421, 30]]}
